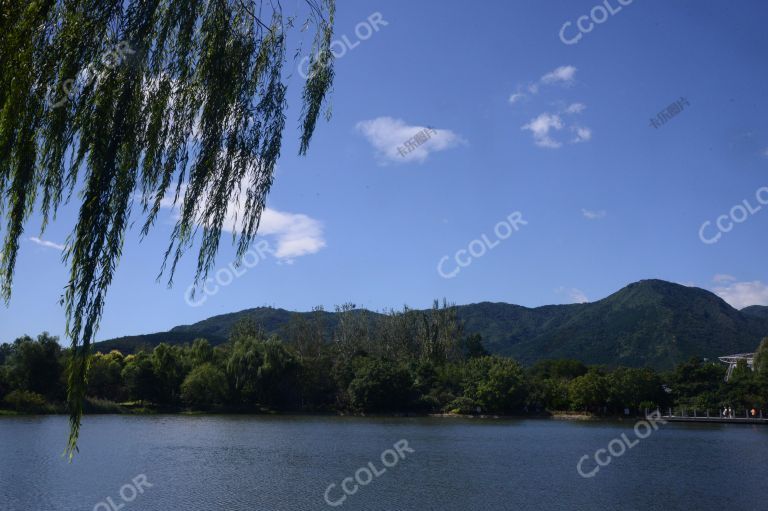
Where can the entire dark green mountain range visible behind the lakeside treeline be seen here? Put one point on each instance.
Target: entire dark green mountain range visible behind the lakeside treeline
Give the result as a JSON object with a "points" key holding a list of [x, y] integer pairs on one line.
{"points": [[650, 323]]}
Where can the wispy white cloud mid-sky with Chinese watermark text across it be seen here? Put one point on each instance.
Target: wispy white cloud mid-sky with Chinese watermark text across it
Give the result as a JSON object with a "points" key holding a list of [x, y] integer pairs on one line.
{"points": [[389, 136]]}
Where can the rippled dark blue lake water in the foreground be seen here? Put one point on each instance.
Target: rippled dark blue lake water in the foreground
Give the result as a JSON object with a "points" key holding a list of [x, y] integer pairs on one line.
{"points": [[287, 463]]}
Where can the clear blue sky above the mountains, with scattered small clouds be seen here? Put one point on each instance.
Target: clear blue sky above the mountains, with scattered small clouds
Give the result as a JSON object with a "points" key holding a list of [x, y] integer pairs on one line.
{"points": [[560, 133]]}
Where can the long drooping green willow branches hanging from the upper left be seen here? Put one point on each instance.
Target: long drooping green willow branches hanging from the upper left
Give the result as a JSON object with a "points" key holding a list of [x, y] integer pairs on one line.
{"points": [[126, 99]]}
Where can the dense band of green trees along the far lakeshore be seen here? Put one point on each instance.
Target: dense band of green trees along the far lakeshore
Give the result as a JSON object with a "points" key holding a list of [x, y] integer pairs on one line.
{"points": [[403, 362]]}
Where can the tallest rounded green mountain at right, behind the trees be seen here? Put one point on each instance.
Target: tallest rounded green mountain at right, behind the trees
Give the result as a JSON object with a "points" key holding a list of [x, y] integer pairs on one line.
{"points": [[650, 323]]}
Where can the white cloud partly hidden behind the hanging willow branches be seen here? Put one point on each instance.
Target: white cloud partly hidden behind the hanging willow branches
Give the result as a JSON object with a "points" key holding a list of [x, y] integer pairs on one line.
{"points": [[294, 234]]}
